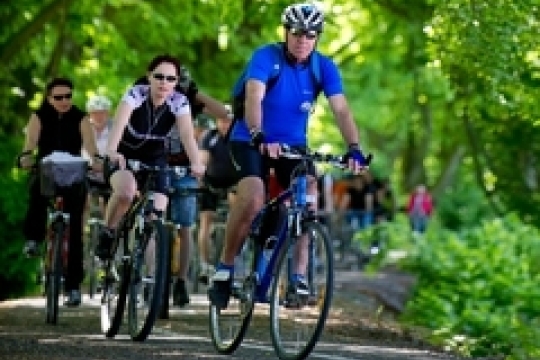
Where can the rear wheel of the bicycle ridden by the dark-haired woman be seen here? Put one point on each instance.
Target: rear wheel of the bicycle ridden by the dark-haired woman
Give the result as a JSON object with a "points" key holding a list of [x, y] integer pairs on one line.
{"points": [[114, 292]]}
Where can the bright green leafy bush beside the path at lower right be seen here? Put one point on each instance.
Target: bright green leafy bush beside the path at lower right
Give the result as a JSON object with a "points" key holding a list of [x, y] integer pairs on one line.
{"points": [[478, 288]]}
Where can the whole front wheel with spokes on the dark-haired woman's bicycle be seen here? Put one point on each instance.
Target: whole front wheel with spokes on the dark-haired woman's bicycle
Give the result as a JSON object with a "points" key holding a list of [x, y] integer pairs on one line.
{"points": [[150, 252]]}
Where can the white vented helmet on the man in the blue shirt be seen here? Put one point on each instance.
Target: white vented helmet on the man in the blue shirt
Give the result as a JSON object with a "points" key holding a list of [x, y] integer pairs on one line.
{"points": [[304, 16]]}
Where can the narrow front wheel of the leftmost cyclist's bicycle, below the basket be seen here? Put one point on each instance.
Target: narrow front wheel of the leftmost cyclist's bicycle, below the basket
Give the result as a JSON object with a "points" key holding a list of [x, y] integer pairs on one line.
{"points": [[54, 275]]}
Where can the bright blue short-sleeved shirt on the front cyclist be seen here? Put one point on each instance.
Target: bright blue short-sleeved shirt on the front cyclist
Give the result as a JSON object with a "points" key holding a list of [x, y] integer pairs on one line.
{"points": [[287, 106]]}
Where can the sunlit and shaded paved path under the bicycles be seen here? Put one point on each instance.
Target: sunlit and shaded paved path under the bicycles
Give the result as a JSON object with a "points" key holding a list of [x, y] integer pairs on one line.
{"points": [[353, 331]]}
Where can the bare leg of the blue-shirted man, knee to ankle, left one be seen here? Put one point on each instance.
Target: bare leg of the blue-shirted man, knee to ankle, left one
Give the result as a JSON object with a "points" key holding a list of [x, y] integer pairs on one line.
{"points": [[249, 199]]}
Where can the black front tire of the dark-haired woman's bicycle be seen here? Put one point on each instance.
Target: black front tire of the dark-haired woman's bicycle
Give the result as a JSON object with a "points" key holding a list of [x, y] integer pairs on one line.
{"points": [[140, 328]]}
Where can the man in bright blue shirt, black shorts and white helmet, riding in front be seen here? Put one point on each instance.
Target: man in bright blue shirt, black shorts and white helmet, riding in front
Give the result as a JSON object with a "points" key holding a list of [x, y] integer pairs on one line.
{"points": [[274, 115]]}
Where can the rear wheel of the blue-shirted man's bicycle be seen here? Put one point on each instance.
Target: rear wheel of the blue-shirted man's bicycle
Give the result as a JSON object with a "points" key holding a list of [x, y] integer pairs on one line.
{"points": [[228, 326]]}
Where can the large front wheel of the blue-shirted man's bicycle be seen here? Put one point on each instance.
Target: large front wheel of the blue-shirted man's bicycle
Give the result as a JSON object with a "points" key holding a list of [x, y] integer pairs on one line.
{"points": [[297, 321]]}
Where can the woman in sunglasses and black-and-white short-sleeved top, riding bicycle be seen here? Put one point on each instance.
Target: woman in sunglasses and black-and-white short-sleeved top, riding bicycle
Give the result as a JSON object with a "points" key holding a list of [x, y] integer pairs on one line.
{"points": [[143, 120]]}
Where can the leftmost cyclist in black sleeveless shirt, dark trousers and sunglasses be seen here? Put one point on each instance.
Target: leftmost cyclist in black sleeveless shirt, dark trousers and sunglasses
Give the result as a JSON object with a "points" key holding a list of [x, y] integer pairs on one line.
{"points": [[57, 111]]}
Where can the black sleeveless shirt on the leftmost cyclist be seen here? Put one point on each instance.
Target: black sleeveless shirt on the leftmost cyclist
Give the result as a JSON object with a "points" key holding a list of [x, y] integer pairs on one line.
{"points": [[59, 132]]}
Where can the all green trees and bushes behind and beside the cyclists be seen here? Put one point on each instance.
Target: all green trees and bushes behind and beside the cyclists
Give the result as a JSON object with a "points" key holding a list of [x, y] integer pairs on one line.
{"points": [[444, 92]]}
